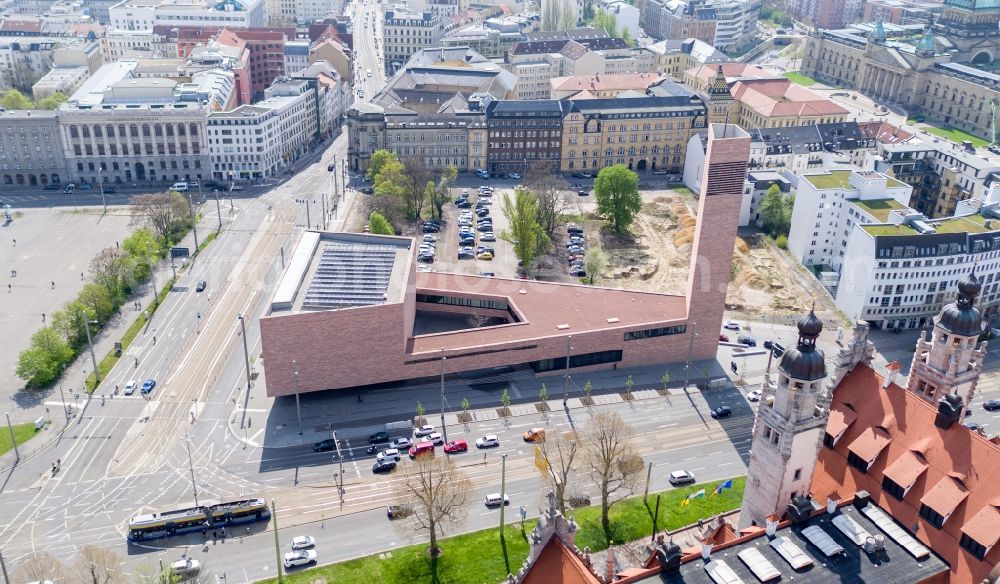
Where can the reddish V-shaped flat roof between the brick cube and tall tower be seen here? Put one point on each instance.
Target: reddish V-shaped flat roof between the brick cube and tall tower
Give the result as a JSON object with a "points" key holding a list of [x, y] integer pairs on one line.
{"points": [[544, 309]]}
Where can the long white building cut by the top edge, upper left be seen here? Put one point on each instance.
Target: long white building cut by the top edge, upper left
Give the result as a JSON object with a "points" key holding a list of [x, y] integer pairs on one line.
{"points": [[145, 14]]}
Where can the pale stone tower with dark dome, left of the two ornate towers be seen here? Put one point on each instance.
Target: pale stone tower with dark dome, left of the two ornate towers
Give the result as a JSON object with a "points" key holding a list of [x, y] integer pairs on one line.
{"points": [[788, 431]]}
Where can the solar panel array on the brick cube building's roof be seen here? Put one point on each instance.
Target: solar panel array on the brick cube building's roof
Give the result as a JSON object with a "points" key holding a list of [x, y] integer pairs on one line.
{"points": [[350, 275]]}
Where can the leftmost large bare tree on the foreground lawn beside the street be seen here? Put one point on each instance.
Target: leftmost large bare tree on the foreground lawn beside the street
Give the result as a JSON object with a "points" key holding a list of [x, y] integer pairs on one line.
{"points": [[437, 492]]}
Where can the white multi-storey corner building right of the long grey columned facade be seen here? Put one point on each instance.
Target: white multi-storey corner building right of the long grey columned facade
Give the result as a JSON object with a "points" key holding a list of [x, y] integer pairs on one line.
{"points": [[262, 140]]}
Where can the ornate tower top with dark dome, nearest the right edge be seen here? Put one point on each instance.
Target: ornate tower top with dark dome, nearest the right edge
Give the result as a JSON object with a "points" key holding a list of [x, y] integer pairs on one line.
{"points": [[952, 359]]}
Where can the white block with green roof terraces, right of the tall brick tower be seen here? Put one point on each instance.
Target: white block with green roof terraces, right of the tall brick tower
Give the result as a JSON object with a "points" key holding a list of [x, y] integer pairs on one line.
{"points": [[828, 206]]}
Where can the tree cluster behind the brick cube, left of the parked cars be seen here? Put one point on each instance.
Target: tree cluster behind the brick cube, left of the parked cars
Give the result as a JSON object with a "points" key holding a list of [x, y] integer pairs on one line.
{"points": [[404, 188]]}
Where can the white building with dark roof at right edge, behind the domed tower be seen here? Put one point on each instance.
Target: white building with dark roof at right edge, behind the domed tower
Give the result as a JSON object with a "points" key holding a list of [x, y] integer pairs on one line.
{"points": [[903, 269]]}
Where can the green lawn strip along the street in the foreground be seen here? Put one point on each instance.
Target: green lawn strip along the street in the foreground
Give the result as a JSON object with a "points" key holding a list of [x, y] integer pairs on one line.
{"points": [[475, 558]]}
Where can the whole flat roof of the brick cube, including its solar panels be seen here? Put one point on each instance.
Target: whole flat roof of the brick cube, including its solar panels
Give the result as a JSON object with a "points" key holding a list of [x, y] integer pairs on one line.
{"points": [[334, 271]]}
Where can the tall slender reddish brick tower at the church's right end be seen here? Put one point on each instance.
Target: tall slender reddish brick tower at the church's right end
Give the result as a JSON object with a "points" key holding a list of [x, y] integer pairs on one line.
{"points": [[726, 157]]}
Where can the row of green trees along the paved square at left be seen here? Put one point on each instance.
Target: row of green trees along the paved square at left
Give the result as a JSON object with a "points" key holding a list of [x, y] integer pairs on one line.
{"points": [[115, 272]]}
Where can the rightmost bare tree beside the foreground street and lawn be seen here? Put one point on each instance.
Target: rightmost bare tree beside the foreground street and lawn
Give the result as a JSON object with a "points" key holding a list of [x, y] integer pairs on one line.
{"points": [[609, 455]]}
